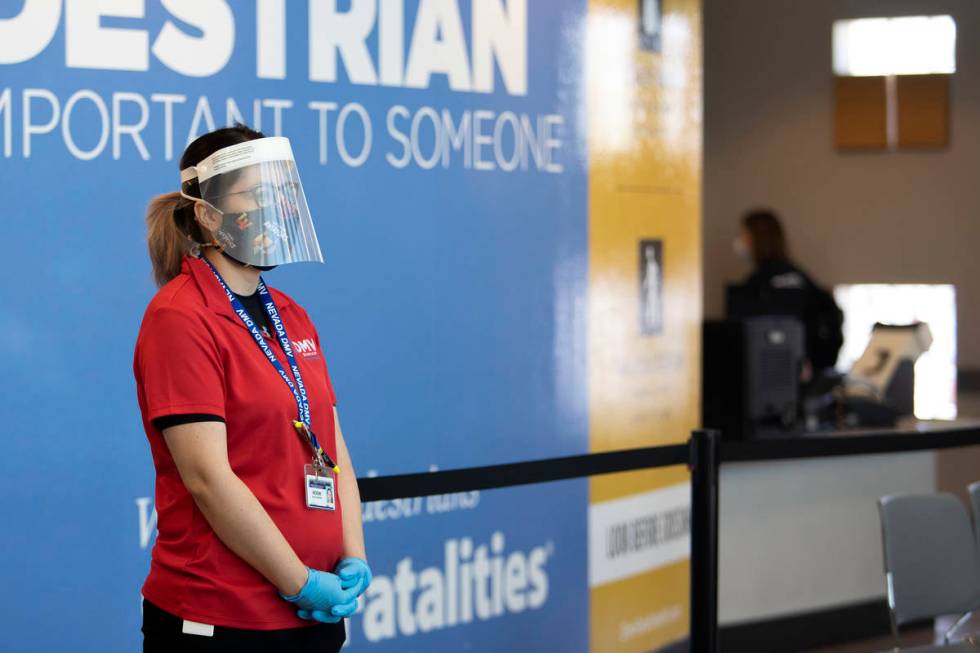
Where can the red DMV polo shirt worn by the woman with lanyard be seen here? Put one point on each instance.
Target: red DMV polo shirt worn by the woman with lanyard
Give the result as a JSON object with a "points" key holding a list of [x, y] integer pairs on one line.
{"points": [[195, 355]]}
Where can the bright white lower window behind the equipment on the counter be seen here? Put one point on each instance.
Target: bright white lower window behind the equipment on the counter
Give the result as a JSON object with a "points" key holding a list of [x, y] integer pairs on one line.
{"points": [[935, 371]]}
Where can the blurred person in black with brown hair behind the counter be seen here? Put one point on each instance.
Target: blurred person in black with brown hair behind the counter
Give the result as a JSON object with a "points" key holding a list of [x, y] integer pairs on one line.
{"points": [[777, 286]]}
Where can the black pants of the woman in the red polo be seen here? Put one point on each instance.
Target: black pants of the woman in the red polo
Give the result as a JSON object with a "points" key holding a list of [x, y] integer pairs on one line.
{"points": [[162, 633]]}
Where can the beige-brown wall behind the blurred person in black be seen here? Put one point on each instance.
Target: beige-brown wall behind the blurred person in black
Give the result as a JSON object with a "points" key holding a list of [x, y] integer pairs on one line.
{"points": [[898, 217]]}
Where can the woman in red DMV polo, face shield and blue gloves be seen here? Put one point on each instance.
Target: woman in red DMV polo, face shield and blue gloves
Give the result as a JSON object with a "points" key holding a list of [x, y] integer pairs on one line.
{"points": [[260, 545]]}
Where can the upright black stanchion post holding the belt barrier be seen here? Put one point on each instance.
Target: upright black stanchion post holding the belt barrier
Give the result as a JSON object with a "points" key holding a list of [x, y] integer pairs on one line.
{"points": [[704, 541]]}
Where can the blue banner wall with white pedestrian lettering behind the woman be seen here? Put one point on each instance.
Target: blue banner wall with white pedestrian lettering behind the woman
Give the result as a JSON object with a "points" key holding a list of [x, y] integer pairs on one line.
{"points": [[442, 146]]}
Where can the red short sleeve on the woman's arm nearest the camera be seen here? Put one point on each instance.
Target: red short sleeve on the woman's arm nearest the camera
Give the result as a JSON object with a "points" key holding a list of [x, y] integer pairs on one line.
{"points": [[178, 365]]}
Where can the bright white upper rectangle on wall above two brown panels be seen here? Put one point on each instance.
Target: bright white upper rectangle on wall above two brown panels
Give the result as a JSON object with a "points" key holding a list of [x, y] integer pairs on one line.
{"points": [[910, 45]]}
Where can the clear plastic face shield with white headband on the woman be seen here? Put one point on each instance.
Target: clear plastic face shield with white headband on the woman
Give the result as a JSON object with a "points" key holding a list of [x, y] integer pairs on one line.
{"points": [[265, 220]]}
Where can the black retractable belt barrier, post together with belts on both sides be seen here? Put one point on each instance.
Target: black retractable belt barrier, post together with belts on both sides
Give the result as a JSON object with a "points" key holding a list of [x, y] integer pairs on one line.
{"points": [[704, 454]]}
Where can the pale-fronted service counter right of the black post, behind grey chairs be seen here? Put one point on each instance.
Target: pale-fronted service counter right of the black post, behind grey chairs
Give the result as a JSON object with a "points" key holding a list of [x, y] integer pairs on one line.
{"points": [[798, 520]]}
